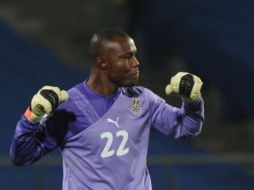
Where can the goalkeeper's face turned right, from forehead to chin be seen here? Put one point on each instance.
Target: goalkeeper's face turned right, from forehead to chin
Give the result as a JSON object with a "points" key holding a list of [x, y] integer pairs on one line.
{"points": [[122, 64]]}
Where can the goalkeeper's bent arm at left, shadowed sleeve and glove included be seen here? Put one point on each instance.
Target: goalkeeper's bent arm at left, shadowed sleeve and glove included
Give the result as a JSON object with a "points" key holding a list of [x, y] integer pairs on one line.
{"points": [[32, 139]]}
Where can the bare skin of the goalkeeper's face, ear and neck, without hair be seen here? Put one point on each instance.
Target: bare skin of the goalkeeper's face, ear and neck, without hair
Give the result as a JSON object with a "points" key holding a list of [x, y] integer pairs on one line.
{"points": [[118, 66]]}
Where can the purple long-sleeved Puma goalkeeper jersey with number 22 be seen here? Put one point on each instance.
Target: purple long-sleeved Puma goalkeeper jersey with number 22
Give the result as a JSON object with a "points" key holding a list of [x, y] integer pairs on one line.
{"points": [[105, 148]]}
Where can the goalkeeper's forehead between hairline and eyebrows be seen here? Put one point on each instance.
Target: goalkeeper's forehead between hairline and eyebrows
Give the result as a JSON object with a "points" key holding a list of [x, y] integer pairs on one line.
{"points": [[121, 45]]}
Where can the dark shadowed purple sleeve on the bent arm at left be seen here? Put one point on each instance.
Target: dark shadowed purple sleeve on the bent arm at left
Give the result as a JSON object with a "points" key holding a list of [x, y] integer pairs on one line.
{"points": [[30, 142]]}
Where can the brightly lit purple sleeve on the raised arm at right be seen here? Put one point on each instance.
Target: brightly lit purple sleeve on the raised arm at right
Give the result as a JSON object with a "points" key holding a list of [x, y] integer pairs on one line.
{"points": [[181, 122]]}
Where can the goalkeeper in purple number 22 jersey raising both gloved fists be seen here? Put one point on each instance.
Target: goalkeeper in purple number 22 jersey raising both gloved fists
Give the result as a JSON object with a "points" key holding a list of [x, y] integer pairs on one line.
{"points": [[102, 124]]}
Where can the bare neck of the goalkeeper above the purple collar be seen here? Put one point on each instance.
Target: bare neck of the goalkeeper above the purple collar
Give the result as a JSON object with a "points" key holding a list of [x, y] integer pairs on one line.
{"points": [[101, 85]]}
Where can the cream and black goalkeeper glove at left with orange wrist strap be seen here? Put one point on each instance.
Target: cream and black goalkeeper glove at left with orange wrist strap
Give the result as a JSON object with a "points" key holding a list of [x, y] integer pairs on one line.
{"points": [[45, 101]]}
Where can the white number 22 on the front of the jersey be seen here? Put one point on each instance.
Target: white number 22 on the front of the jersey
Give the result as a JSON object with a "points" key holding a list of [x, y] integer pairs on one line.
{"points": [[122, 150]]}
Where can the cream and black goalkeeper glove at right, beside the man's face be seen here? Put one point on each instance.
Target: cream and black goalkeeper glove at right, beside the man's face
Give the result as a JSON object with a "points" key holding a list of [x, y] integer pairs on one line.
{"points": [[185, 85]]}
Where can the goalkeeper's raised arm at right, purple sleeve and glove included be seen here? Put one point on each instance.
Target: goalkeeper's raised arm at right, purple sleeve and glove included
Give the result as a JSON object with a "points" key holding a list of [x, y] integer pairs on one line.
{"points": [[186, 121]]}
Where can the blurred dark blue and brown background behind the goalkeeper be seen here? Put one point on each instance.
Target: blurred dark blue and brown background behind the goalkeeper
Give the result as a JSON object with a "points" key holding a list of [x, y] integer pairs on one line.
{"points": [[45, 42]]}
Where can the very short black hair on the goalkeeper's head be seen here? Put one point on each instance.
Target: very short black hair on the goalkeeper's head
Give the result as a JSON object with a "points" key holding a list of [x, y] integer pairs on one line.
{"points": [[98, 41]]}
